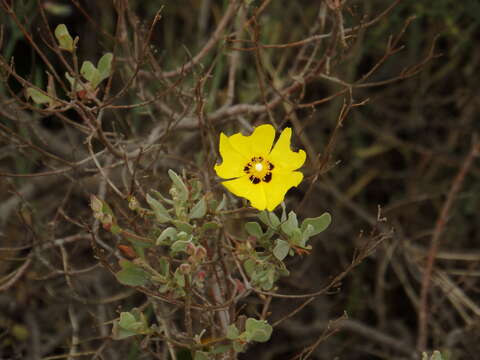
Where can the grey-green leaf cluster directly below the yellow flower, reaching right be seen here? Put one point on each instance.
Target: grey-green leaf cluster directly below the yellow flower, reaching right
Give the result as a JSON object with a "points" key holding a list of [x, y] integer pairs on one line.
{"points": [[263, 256]]}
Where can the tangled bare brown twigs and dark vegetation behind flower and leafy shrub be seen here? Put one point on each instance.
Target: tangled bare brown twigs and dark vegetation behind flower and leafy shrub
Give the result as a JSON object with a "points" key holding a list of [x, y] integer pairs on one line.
{"points": [[384, 154]]}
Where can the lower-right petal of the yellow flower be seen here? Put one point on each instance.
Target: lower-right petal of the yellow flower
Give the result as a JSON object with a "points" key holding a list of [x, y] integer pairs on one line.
{"points": [[276, 189]]}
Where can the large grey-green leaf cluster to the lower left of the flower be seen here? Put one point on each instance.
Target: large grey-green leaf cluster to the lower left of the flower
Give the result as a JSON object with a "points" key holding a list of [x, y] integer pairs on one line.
{"points": [[180, 223]]}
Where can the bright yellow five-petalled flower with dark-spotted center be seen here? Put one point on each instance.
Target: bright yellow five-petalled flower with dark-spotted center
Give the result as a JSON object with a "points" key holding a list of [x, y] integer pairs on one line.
{"points": [[260, 174]]}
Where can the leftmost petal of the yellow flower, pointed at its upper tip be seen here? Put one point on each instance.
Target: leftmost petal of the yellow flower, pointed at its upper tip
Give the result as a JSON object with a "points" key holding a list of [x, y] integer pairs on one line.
{"points": [[232, 161]]}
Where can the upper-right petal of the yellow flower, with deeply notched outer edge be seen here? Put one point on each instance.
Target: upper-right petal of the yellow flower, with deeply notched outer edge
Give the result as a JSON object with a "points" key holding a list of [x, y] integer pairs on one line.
{"points": [[283, 155]]}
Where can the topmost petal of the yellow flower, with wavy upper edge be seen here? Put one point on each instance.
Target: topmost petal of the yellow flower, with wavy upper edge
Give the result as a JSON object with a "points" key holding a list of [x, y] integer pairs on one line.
{"points": [[259, 143]]}
